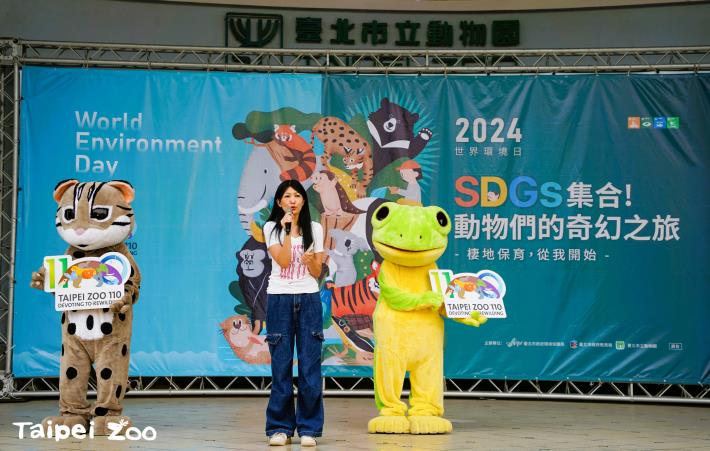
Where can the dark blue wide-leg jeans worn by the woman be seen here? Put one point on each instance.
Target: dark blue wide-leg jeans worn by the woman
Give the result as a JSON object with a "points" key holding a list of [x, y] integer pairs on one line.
{"points": [[299, 318]]}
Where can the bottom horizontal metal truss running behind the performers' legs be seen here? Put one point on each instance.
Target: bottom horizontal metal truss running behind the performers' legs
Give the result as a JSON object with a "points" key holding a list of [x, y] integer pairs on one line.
{"points": [[363, 386]]}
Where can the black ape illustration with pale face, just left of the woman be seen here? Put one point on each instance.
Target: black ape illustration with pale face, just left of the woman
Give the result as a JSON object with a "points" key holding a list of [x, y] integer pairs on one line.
{"points": [[253, 269]]}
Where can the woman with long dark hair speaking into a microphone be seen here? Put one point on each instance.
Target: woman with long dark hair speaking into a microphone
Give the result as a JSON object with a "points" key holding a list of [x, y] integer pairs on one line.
{"points": [[294, 312]]}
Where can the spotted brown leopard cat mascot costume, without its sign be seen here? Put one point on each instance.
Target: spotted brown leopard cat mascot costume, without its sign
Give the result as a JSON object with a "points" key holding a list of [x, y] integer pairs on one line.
{"points": [[95, 218]]}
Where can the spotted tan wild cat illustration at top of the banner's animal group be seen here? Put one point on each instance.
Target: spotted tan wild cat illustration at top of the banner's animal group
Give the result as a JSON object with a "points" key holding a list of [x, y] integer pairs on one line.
{"points": [[340, 138]]}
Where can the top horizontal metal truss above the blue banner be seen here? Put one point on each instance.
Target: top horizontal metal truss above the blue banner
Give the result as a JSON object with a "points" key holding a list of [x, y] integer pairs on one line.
{"points": [[367, 61]]}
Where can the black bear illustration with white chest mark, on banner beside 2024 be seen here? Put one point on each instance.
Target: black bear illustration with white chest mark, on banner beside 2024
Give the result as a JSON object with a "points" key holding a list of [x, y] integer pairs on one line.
{"points": [[392, 131]]}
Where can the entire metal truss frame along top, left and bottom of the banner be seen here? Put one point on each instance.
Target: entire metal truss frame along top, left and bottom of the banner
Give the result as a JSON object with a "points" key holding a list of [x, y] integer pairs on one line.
{"points": [[14, 54]]}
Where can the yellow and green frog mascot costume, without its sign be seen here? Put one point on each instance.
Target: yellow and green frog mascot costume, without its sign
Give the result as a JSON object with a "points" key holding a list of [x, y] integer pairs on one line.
{"points": [[409, 329]]}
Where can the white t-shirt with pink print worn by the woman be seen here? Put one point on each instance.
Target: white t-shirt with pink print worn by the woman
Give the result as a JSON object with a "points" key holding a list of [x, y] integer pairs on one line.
{"points": [[295, 278]]}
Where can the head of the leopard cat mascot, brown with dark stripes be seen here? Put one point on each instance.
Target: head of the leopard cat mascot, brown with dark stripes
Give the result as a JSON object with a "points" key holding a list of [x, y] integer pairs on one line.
{"points": [[94, 215]]}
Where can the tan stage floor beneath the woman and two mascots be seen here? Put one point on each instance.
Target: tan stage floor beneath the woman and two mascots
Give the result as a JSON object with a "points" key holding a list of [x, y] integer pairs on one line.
{"points": [[237, 423]]}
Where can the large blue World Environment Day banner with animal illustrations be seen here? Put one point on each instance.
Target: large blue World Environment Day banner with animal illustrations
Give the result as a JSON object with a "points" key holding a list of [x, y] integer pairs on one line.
{"points": [[588, 194]]}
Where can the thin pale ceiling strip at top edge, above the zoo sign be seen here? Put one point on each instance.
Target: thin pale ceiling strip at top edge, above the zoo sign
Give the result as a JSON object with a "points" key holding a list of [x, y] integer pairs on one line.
{"points": [[436, 5]]}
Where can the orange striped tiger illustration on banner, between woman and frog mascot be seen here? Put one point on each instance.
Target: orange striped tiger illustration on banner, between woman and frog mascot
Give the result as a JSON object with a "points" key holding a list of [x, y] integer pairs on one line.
{"points": [[351, 308]]}
